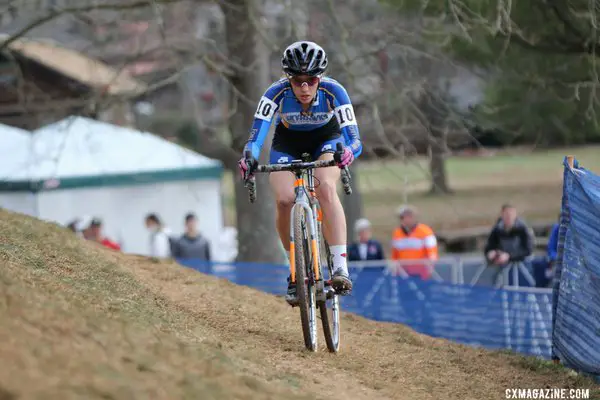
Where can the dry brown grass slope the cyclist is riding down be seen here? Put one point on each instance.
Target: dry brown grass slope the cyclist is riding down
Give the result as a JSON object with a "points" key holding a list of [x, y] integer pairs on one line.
{"points": [[77, 321]]}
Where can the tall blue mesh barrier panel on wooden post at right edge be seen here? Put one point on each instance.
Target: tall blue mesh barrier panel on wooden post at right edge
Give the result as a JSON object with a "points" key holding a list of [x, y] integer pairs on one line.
{"points": [[576, 291]]}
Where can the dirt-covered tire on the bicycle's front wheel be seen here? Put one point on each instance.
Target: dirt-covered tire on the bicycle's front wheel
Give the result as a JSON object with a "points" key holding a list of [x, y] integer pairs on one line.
{"points": [[301, 249]]}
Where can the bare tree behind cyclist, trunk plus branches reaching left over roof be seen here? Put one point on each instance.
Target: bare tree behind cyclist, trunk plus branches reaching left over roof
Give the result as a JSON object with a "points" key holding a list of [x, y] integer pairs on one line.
{"points": [[240, 66]]}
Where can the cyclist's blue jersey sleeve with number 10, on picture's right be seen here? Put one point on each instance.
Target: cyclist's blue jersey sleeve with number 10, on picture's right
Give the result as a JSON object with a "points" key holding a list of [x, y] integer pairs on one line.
{"points": [[344, 112]]}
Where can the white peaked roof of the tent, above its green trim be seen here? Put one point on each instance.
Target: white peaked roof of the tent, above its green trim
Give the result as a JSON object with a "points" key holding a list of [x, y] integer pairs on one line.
{"points": [[83, 147]]}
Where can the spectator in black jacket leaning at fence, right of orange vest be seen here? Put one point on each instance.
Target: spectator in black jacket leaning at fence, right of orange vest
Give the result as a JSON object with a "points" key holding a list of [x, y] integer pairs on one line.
{"points": [[510, 240]]}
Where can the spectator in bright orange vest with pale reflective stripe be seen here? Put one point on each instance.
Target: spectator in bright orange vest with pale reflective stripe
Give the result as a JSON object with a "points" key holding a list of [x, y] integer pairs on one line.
{"points": [[414, 244]]}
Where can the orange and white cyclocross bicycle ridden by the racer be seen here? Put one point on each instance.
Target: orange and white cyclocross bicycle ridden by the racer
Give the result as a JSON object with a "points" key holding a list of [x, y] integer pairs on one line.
{"points": [[314, 290]]}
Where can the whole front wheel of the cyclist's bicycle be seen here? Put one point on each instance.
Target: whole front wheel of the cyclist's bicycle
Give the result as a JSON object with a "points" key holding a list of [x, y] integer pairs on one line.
{"points": [[305, 290]]}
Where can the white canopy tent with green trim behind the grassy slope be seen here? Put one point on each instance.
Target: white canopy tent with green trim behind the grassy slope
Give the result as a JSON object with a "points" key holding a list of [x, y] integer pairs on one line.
{"points": [[80, 166]]}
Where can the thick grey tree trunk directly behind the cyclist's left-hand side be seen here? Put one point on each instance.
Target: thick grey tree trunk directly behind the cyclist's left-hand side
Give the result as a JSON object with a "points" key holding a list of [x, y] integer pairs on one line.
{"points": [[257, 236]]}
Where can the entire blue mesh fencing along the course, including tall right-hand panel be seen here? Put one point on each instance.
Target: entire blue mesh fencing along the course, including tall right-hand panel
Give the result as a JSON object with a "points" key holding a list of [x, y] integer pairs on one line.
{"points": [[563, 322]]}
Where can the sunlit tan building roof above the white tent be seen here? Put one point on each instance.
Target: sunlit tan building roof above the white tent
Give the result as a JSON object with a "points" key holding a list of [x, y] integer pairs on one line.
{"points": [[76, 65]]}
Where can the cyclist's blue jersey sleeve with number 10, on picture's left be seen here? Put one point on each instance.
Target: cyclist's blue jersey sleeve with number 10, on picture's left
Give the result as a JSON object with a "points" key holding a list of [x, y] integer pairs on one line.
{"points": [[263, 117]]}
